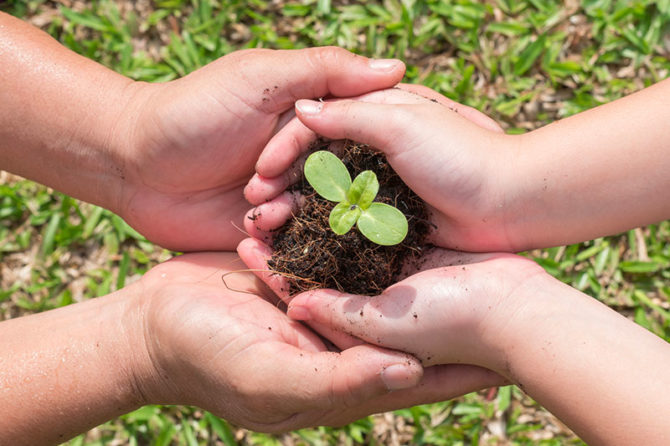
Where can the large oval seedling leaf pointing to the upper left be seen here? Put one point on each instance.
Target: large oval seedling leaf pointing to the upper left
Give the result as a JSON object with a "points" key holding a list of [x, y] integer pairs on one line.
{"points": [[327, 175]]}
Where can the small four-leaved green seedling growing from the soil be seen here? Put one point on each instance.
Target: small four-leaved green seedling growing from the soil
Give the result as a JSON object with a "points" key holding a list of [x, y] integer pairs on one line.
{"points": [[379, 222]]}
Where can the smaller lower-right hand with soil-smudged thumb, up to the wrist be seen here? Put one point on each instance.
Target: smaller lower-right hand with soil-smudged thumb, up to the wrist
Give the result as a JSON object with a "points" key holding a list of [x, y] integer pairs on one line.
{"points": [[455, 311]]}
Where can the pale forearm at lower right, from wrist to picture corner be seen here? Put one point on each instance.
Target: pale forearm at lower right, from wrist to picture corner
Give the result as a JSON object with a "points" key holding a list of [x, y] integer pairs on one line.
{"points": [[604, 376]]}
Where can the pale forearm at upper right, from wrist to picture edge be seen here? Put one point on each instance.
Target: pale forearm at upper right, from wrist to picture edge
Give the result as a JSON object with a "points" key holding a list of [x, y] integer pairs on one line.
{"points": [[597, 173]]}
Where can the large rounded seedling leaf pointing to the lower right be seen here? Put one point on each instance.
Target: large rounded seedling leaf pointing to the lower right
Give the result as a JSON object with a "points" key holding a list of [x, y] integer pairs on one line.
{"points": [[383, 224]]}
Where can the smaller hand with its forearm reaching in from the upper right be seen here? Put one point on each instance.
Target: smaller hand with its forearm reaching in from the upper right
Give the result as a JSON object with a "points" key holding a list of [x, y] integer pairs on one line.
{"points": [[593, 174]]}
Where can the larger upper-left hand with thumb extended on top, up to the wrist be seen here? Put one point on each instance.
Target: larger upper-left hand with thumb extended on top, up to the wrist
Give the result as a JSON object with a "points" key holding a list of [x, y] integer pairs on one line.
{"points": [[193, 142]]}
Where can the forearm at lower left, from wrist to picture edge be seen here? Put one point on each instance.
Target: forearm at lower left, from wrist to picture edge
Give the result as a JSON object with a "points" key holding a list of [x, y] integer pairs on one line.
{"points": [[65, 371]]}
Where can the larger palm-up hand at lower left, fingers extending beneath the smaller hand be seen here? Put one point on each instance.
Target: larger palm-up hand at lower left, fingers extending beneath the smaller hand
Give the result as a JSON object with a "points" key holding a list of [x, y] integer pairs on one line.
{"points": [[228, 348]]}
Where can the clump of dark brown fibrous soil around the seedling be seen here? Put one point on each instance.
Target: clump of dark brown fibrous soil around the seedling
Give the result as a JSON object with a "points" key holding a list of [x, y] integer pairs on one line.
{"points": [[312, 256]]}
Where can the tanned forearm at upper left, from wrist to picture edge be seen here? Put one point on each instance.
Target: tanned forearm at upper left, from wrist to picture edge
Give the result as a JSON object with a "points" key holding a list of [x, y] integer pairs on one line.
{"points": [[61, 115]]}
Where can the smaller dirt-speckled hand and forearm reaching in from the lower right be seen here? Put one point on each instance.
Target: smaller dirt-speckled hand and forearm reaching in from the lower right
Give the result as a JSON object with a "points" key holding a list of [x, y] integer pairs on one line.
{"points": [[603, 375]]}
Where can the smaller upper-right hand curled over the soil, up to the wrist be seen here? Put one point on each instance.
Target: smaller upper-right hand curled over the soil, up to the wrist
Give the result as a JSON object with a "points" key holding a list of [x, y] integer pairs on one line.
{"points": [[447, 153]]}
